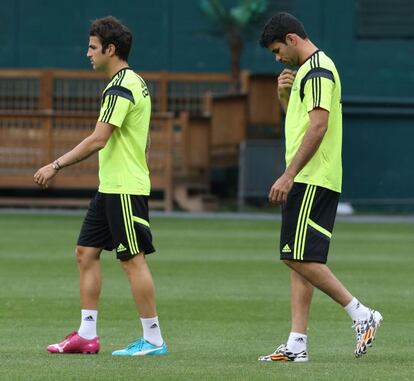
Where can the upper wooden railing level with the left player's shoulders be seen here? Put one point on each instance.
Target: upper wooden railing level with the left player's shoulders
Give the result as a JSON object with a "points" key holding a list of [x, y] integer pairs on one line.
{"points": [[80, 90]]}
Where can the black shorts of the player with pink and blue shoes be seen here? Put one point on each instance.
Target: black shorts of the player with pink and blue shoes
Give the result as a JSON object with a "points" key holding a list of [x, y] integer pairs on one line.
{"points": [[120, 222]]}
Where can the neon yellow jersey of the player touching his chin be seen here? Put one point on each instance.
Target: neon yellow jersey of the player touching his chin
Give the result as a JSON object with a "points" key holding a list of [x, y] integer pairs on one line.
{"points": [[317, 84]]}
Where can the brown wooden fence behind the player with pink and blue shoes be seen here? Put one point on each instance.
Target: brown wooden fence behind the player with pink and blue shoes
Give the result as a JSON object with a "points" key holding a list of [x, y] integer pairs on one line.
{"points": [[44, 113]]}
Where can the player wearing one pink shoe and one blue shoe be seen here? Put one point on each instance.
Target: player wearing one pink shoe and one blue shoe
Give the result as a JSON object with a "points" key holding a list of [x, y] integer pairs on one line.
{"points": [[117, 217]]}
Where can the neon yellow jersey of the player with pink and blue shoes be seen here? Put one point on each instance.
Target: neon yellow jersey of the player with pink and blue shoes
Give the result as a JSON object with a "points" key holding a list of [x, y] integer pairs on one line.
{"points": [[125, 104]]}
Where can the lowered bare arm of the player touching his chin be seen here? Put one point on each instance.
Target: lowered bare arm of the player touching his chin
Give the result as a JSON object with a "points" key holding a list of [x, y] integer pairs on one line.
{"points": [[310, 144]]}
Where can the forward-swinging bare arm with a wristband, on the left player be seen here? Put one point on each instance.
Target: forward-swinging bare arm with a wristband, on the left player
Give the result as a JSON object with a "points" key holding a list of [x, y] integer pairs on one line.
{"points": [[87, 147]]}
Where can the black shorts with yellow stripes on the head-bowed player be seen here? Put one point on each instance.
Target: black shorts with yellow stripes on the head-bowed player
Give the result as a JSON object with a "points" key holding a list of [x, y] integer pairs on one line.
{"points": [[308, 219]]}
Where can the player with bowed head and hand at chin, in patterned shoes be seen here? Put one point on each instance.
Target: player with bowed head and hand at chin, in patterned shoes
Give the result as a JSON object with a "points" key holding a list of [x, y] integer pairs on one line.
{"points": [[309, 188]]}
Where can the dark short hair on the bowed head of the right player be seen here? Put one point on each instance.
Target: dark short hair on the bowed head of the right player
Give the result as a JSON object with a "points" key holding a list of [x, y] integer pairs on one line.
{"points": [[279, 26]]}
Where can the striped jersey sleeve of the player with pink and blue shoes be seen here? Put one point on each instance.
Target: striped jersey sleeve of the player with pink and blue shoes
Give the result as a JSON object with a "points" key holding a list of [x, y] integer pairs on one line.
{"points": [[116, 104]]}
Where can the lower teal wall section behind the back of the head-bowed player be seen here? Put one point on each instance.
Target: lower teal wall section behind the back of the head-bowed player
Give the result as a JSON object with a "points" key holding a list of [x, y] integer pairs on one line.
{"points": [[378, 157]]}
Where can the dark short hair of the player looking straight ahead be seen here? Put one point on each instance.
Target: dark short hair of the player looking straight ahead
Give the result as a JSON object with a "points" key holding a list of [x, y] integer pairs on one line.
{"points": [[110, 30]]}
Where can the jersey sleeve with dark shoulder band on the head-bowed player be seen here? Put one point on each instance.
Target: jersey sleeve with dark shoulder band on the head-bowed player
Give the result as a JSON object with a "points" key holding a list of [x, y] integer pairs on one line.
{"points": [[317, 89]]}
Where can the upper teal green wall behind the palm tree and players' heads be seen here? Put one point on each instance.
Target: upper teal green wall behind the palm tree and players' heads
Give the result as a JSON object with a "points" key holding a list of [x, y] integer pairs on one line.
{"points": [[50, 33]]}
